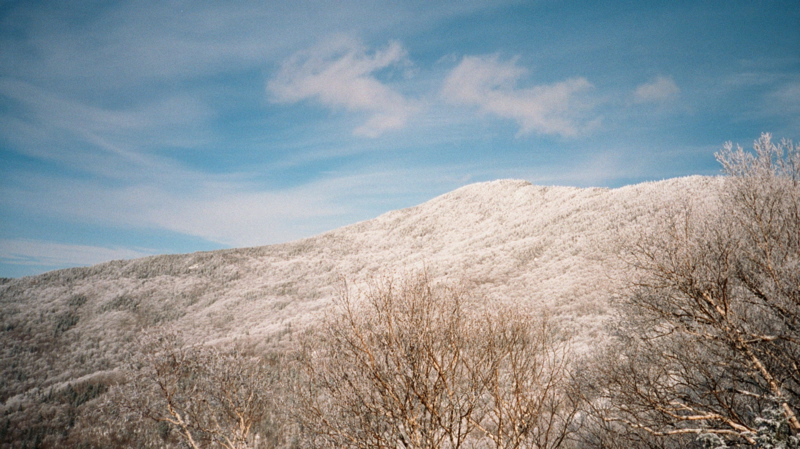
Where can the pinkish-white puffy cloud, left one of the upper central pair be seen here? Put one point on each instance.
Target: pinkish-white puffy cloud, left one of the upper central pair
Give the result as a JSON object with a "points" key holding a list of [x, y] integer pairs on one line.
{"points": [[341, 74]]}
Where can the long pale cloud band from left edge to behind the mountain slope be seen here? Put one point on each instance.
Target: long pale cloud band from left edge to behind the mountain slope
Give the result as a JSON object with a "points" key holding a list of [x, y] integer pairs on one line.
{"points": [[227, 210]]}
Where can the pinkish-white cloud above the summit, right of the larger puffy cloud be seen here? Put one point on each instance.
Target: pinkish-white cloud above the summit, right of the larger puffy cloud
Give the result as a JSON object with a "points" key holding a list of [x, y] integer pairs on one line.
{"points": [[491, 84]]}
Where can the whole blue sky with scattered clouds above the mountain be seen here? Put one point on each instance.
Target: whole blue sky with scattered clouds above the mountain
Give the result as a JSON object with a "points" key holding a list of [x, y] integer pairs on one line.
{"points": [[150, 127]]}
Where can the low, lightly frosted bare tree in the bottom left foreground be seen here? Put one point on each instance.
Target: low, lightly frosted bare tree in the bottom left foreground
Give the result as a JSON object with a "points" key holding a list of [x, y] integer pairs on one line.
{"points": [[204, 396]]}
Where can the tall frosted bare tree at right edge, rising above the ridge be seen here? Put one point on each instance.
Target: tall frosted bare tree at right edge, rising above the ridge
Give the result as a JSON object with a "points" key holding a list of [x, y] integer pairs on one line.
{"points": [[709, 340]]}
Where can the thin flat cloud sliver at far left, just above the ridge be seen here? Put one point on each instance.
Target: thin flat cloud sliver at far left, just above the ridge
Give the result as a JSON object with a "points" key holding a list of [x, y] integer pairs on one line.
{"points": [[51, 254]]}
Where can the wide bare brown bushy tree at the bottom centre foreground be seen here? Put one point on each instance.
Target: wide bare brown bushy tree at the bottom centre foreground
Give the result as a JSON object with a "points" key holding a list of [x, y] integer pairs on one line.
{"points": [[419, 365]]}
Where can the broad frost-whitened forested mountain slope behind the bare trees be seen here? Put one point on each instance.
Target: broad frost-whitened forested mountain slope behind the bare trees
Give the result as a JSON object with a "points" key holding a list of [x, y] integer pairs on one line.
{"points": [[553, 247]]}
